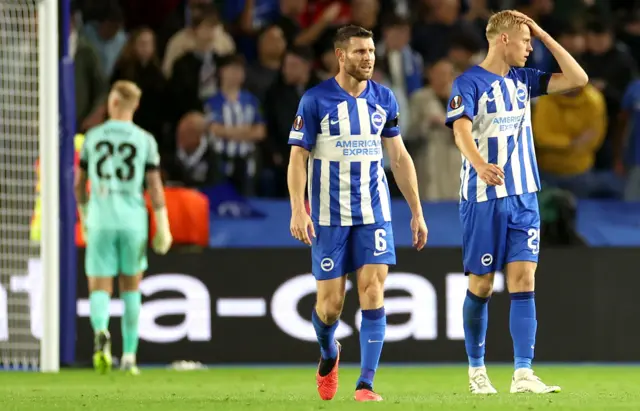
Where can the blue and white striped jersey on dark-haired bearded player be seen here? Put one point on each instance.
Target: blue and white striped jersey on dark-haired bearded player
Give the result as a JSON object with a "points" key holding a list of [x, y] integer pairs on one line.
{"points": [[346, 180]]}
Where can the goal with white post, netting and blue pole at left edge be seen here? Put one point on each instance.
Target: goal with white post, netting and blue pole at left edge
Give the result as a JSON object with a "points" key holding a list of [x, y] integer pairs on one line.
{"points": [[37, 207]]}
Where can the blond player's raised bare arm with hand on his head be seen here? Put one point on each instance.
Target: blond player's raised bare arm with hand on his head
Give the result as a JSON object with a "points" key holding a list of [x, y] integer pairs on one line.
{"points": [[573, 76]]}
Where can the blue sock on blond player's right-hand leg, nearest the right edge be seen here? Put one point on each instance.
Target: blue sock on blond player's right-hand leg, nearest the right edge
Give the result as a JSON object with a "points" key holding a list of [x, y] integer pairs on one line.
{"points": [[523, 326]]}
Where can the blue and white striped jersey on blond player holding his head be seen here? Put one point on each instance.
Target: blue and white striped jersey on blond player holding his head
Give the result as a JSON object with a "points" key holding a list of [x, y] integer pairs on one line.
{"points": [[500, 111]]}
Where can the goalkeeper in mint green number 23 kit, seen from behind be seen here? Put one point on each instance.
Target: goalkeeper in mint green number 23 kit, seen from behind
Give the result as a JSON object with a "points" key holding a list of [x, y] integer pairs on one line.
{"points": [[116, 158]]}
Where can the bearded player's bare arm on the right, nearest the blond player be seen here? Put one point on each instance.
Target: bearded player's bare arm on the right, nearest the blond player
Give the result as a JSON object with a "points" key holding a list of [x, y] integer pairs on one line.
{"points": [[404, 172]]}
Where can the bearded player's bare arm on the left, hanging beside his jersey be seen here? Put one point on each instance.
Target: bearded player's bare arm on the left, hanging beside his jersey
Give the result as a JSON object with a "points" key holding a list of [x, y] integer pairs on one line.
{"points": [[301, 225]]}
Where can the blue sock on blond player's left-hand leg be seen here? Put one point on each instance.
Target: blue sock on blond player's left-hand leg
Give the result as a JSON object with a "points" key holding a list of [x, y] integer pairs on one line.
{"points": [[475, 314]]}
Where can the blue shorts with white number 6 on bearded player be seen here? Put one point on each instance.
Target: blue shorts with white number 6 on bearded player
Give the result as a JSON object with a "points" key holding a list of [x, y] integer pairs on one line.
{"points": [[337, 251]]}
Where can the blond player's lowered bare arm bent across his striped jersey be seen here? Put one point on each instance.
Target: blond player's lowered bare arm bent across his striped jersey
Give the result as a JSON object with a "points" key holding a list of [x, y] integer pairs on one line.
{"points": [[491, 174]]}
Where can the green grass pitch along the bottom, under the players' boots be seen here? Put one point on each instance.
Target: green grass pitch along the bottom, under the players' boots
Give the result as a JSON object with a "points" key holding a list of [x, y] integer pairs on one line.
{"points": [[599, 388]]}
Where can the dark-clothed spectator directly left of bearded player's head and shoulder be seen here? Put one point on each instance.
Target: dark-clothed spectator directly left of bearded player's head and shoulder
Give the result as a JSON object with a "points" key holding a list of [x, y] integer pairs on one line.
{"points": [[281, 104]]}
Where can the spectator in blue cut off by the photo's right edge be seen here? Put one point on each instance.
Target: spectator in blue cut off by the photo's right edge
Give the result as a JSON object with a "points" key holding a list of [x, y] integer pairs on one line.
{"points": [[627, 142]]}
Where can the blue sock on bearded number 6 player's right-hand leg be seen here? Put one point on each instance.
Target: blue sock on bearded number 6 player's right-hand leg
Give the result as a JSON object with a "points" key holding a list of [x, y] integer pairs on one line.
{"points": [[372, 330]]}
